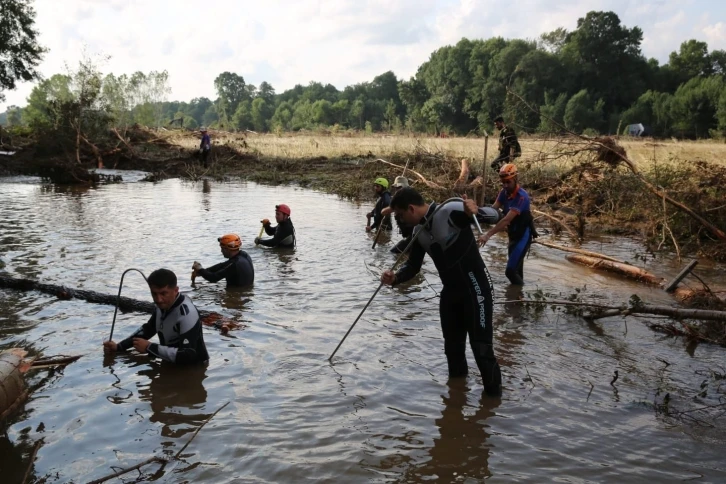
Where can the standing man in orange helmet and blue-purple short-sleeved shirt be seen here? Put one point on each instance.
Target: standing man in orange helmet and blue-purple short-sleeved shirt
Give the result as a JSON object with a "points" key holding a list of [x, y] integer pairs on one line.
{"points": [[515, 204]]}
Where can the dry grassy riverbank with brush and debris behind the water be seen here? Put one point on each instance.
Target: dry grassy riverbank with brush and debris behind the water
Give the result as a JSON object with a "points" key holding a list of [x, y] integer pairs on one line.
{"points": [[568, 179]]}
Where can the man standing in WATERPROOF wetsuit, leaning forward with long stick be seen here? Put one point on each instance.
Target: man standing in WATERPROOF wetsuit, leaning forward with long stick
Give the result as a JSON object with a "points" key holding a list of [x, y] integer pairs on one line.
{"points": [[444, 232]]}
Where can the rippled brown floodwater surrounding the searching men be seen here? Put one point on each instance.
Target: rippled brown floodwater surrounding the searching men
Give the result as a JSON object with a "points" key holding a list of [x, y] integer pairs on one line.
{"points": [[384, 411]]}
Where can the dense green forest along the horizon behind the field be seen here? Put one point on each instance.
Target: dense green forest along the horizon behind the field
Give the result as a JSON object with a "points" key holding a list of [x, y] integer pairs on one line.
{"points": [[590, 80]]}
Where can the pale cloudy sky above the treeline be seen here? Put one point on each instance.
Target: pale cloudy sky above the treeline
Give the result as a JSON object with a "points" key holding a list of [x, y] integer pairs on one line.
{"points": [[332, 41]]}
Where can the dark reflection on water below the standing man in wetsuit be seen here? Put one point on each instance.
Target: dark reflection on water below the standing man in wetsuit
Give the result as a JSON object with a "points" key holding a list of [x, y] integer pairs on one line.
{"points": [[461, 451]]}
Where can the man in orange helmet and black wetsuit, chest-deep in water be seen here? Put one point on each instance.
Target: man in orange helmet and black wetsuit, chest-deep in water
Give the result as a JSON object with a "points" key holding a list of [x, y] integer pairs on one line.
{"points": [[238, 270]]}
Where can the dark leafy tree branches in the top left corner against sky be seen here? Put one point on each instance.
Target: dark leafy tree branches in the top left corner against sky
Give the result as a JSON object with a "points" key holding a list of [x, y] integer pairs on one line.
{"points": [[20, 52]]}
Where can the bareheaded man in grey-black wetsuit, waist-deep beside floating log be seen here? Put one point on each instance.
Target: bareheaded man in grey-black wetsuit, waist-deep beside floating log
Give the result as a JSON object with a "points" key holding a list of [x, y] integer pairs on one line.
{"points": [[175, 321]]}
